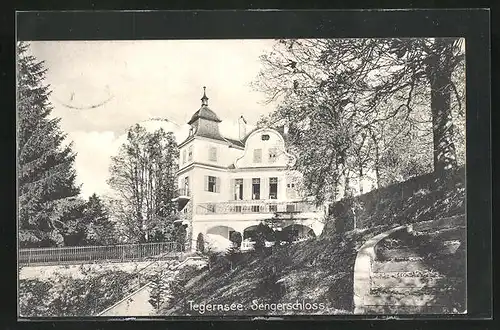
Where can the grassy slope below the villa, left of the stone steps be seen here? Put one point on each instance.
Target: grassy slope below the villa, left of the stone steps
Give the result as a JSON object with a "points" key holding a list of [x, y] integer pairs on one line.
{"points": [[316, 271]]}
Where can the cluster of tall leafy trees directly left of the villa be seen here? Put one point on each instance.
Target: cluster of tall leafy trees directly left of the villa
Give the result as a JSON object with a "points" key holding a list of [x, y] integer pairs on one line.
{"points": [[143, 176]]}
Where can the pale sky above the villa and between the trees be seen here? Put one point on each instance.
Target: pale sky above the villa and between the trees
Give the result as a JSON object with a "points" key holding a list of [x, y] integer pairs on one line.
{"points": [[101, 88]]}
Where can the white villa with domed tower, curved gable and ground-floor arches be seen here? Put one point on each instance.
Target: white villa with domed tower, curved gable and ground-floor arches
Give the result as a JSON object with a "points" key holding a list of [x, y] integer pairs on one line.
{"points": [[228, 185]]}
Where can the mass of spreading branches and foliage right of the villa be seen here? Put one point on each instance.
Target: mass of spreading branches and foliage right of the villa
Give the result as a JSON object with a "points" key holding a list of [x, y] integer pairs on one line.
{"points": [[364, 104]]}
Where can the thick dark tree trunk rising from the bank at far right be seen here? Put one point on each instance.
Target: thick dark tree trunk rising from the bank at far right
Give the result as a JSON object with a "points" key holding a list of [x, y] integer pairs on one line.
{"points": [[439, 74]]}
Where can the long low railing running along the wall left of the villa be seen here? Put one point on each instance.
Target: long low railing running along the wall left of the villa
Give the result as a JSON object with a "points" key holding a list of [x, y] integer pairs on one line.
{"points": [[71, 254]]}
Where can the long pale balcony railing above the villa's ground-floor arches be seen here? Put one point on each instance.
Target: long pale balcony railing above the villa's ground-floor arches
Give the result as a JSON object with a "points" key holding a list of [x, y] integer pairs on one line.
{"points": [[248, 207]]}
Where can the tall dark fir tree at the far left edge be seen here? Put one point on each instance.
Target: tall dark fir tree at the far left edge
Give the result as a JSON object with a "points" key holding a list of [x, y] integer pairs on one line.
{"points": [[47, 192]]}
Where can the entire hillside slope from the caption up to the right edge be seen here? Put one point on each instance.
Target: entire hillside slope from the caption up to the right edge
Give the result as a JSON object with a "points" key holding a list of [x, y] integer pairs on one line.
{"points": [[319, 270]]}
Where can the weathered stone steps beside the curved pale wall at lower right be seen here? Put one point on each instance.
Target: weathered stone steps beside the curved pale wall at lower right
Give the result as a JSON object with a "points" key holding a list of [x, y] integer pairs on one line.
{"points": [[417, 270]]}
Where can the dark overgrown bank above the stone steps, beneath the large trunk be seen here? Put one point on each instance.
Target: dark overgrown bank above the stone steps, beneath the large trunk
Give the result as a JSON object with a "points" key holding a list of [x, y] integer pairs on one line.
{"points": [[422, 198]]}
